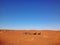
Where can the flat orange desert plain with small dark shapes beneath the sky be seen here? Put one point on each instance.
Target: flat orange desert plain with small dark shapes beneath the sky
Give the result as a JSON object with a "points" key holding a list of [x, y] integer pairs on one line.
{"points": [[29, 37]]}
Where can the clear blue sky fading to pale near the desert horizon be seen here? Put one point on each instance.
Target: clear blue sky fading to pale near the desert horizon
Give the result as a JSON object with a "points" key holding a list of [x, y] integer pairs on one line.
{"points": [[30, 14]]}
